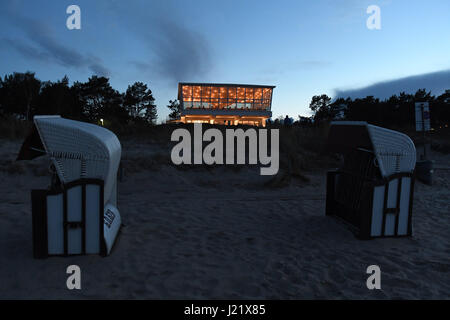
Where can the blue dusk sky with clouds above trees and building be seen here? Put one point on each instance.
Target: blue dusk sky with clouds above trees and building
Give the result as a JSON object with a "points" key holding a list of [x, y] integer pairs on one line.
{"points": [[302, 47]]}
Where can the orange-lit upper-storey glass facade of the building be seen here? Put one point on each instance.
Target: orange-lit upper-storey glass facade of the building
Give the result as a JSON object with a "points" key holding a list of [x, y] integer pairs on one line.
{"points": [[226, 97]]}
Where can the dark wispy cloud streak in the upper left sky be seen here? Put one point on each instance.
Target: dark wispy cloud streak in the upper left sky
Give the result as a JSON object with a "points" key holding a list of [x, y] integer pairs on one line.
{"points": [[40, 45]]}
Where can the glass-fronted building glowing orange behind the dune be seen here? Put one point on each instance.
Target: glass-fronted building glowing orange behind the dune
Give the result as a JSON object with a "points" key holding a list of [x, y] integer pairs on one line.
{"points": [[227, 104]]}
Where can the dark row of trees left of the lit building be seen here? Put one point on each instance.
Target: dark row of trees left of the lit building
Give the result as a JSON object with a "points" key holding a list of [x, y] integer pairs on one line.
{"points": [[22, 96]]}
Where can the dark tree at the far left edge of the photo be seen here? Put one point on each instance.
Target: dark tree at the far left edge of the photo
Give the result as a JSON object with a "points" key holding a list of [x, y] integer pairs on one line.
{"points": [[18, 94]]}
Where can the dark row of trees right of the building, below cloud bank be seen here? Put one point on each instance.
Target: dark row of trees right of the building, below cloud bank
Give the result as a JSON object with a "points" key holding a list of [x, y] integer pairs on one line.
{"points": [[398, 110]]}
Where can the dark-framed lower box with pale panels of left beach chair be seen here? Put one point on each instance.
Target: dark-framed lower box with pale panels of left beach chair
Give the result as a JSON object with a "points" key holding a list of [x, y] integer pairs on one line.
{"points": [[69, 220]]}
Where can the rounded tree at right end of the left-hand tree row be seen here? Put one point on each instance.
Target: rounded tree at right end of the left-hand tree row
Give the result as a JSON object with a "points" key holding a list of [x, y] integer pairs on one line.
{"points": [[139, 103]]}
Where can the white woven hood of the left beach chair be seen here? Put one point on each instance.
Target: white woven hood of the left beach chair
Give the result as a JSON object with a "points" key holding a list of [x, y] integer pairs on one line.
{"points": [[77, 150]]}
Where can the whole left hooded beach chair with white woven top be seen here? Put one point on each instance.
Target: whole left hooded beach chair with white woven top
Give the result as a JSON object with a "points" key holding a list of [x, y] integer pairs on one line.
{"points": [[79, 214]]}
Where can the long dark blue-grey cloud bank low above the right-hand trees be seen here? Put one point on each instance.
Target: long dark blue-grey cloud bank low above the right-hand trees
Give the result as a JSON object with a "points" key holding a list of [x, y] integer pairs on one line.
{"points": [[436, 82]]}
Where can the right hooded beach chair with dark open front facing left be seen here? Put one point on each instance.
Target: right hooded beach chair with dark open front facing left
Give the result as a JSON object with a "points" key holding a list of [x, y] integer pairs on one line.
{"points": [[373, 189]]}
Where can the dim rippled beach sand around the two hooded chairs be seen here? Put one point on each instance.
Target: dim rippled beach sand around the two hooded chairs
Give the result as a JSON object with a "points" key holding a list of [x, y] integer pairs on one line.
{"points": [[219, 233]]}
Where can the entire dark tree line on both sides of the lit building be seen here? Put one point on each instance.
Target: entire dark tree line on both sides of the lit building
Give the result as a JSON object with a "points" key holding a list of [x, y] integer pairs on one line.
{"points": [[22, 96]]}
